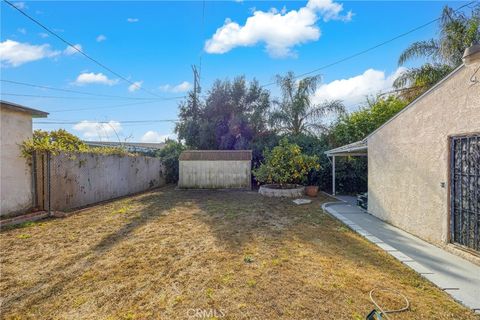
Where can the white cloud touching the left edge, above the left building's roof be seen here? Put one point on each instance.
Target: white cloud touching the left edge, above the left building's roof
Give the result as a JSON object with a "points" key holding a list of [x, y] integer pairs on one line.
{"points": [[13, 53]]}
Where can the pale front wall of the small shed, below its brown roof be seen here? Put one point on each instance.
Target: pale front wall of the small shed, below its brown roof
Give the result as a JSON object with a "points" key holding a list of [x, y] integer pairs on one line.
{"points": [[215, 174]]}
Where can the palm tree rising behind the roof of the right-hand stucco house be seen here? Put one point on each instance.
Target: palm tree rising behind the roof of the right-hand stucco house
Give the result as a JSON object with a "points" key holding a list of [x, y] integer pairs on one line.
{"points": [[457, 32]]}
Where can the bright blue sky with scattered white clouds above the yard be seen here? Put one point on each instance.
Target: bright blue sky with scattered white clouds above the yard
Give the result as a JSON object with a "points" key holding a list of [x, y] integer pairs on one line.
{"points": [[155, 43]]}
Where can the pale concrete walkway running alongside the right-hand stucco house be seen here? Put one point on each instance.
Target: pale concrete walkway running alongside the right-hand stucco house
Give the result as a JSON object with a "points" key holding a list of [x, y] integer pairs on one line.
{"points": [[455, 275]]}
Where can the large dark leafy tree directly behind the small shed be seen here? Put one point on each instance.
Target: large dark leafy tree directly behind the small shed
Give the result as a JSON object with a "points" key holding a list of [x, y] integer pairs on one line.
{"points": [[232, 114]]}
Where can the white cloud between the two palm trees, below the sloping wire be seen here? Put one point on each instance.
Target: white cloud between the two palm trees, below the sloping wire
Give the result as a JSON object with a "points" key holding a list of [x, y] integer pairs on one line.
{"points": [[354, 90]]}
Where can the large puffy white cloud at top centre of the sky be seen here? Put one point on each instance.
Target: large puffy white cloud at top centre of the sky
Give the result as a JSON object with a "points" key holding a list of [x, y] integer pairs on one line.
{"points": [[279, 30]]}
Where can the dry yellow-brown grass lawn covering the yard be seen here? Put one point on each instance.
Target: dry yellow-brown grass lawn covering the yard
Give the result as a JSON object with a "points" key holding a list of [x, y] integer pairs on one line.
{"points": [[202, 254]]}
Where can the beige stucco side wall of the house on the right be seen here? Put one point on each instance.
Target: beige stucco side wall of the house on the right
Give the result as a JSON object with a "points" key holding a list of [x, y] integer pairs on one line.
{"points": [[408, 157]]}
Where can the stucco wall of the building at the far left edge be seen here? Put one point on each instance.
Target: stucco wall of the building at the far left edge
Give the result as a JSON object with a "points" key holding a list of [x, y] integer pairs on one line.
{"points": [[15, 173]]}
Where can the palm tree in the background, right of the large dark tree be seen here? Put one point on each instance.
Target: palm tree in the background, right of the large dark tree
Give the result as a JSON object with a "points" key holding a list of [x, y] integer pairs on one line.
{"points": [[295, 113]]}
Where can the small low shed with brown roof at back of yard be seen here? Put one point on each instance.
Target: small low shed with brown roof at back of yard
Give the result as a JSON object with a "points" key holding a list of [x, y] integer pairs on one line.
{"points": [[215, 169]]}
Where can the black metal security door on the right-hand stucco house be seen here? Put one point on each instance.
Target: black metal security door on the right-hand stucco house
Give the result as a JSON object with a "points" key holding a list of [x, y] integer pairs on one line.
{"points": [[465, 191]]}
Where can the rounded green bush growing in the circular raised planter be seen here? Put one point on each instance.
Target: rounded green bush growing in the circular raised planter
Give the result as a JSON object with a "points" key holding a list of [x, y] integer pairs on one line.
{"points": [[285, 164]]}
